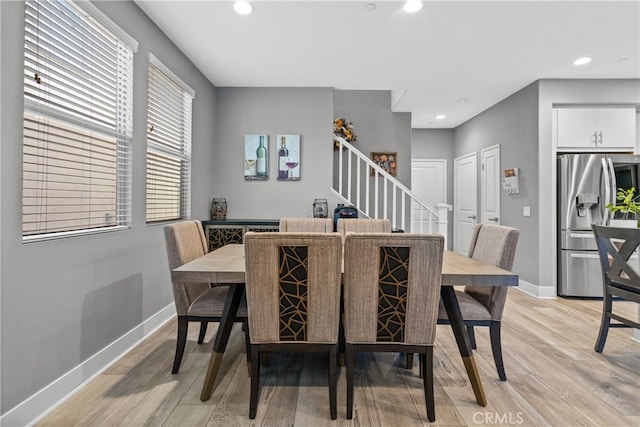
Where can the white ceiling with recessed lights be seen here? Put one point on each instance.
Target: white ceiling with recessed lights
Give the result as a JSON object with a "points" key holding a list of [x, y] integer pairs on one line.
{"points": [[478, 51]]}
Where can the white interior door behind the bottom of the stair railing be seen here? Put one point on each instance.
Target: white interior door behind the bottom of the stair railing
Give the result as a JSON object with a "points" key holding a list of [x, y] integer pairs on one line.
{"points": [[429, 184]]}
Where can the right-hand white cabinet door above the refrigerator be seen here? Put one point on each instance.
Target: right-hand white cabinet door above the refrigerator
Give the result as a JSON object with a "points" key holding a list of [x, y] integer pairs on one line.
{"points": [[618, 127]]}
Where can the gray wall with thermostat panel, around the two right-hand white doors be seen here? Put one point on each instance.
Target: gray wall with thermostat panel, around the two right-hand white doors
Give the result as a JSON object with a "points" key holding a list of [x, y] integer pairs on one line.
{"points": [[512, 123]]}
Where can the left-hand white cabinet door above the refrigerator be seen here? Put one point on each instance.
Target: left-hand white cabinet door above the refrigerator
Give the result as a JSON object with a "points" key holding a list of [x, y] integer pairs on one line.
{"points": [[576, 127]]}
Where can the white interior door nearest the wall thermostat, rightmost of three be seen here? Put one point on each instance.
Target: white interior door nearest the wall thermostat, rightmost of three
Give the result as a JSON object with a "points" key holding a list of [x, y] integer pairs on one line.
{"points": [[490, 185]]}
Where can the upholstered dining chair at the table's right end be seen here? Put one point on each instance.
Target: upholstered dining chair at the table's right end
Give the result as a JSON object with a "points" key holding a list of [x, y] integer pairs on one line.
{"points": [[484, 305]]}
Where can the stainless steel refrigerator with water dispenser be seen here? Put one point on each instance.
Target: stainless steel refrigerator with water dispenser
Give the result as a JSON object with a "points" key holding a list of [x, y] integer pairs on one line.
{"points": [[586, 184]]}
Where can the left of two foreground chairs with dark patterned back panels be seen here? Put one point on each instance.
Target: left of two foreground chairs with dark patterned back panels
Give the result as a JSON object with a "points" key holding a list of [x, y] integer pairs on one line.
{"points": [[293, 294]]}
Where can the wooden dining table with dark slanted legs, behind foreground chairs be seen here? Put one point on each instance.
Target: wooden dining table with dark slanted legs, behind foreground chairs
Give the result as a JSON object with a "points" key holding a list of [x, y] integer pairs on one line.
{"points": [[225, 266]]}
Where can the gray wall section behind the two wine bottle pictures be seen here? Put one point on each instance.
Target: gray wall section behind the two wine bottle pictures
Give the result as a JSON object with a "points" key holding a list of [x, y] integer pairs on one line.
{"points": [[273, 111]]}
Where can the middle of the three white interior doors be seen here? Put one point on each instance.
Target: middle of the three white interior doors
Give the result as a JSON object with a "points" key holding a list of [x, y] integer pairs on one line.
{"points": [[465, 205]]}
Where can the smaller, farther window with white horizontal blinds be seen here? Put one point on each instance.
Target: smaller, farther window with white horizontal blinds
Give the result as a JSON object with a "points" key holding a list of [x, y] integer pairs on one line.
{"points": [[168, 145]]}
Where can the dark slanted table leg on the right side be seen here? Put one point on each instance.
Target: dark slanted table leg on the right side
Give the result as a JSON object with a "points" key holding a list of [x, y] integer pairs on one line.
{"points": [[462, 338]]}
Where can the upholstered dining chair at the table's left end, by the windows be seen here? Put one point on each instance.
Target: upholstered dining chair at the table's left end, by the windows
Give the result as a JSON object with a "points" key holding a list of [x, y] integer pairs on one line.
{"points": [[195, 302]]}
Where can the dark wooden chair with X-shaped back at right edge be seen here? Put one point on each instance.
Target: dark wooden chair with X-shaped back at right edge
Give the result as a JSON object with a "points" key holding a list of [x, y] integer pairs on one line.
{"points": [[619, 276]]}
